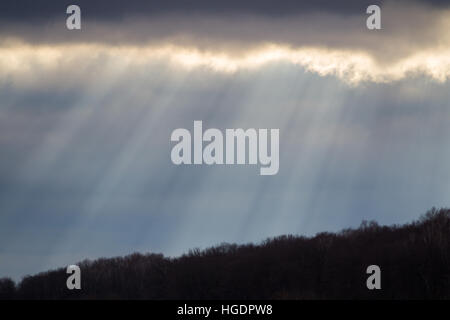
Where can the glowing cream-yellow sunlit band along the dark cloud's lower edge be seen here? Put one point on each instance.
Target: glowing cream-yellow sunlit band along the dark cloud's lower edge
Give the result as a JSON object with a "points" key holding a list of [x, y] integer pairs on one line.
{"points": [[25, 63]]}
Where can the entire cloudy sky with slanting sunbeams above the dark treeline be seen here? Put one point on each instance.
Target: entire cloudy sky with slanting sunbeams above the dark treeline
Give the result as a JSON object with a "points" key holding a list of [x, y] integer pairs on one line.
{"points": [[86, 118]]}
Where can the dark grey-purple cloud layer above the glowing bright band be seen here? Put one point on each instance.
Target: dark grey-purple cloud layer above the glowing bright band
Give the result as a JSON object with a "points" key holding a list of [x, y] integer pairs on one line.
{"points": [[232, 26]]}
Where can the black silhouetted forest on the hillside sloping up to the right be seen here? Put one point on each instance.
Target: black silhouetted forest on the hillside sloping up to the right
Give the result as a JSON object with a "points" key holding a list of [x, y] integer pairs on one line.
{"points": [[414, 261]]}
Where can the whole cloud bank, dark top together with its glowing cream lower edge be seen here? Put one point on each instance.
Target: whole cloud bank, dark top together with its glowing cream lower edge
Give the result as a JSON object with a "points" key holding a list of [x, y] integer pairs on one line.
{"points": [[229, 37]]}
